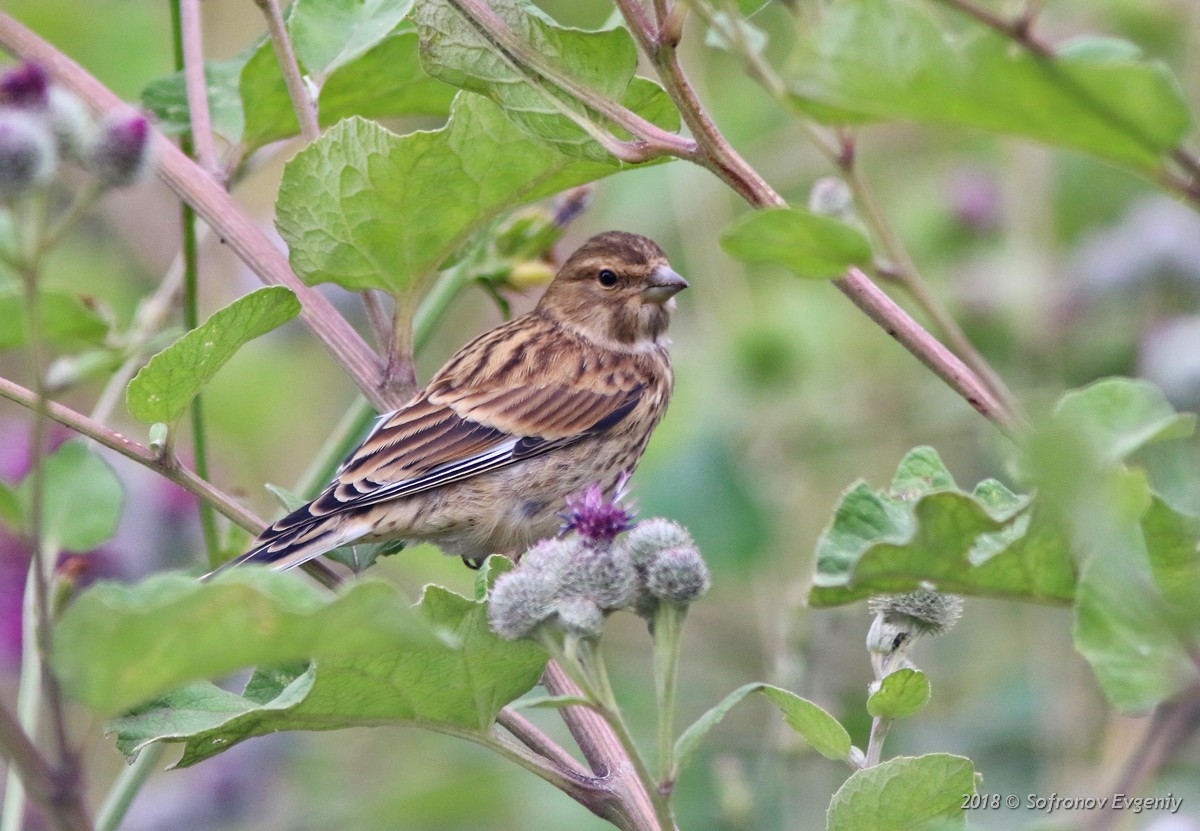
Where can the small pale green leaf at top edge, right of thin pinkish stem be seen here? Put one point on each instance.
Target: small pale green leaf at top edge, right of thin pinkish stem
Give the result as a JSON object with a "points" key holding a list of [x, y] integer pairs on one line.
{"points": [[331, 34]]}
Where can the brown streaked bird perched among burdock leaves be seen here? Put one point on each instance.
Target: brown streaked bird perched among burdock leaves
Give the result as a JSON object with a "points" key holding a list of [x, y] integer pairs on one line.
{"points": [[483, 459]]}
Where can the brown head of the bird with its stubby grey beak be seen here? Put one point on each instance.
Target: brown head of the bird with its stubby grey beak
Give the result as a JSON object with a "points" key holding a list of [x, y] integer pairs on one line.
{"points": [[617, 289]]}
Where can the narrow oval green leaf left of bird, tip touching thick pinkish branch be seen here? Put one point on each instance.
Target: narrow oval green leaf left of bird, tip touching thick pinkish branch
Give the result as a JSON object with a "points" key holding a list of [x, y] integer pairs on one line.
{"points": [[165, 387]]}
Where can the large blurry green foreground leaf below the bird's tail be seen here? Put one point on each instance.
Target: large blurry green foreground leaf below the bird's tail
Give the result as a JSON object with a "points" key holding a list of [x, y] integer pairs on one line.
{"points": [[119, 645]]}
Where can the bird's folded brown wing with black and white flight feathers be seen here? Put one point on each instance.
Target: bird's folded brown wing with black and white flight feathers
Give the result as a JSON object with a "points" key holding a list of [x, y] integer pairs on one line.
{"points": [[505, 398]]}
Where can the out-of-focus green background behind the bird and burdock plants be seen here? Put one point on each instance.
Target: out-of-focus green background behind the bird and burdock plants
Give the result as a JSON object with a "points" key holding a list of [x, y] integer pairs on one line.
{"points": [[1061, 270]]}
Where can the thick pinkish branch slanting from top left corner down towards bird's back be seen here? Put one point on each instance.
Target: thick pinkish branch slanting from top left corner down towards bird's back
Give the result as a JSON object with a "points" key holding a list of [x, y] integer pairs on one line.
{"points": [[221, 212]]}
